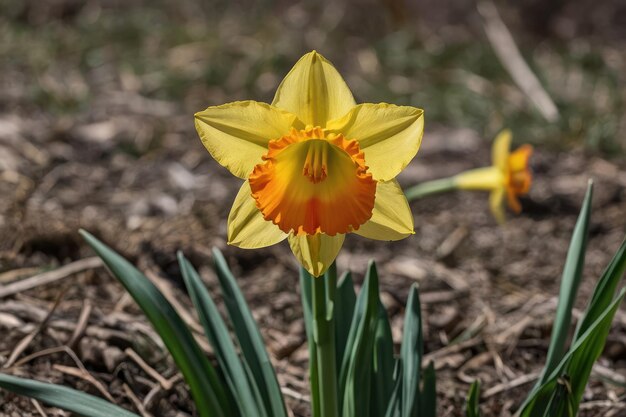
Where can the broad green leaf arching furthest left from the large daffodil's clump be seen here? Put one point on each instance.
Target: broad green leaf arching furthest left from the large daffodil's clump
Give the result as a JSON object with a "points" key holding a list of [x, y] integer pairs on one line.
{"points": [[206, 387]]}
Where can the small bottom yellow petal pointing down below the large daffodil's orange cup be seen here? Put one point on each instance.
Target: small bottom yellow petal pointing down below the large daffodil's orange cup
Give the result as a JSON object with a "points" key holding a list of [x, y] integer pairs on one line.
{"points": [[316, 252]]}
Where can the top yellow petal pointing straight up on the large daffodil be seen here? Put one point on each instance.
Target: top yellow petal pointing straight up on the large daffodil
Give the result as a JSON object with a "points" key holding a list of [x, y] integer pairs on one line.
{"points": [[314, 91]]}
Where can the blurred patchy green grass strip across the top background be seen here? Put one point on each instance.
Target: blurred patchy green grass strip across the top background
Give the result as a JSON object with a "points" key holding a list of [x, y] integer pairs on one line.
{"points": [[61, 56]]}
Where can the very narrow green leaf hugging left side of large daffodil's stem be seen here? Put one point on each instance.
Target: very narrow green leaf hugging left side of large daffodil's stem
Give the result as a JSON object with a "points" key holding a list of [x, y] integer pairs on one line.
{"points": [[306, 293]]}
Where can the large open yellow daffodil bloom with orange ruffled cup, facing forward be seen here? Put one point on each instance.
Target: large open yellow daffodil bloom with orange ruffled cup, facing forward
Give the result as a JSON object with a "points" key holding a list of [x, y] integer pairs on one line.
{"points": [[316, 165]]}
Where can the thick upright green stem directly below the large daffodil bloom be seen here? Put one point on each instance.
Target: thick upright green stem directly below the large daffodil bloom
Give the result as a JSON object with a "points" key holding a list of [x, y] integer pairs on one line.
{"points": [[324, 336]]}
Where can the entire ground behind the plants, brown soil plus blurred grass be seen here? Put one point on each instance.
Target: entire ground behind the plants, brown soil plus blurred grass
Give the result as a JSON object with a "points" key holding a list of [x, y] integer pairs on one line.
{"points": [[98, 133]]}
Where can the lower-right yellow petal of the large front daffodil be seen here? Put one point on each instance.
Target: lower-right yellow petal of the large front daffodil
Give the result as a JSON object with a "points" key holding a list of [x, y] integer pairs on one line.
{"points": [[391, 218]]}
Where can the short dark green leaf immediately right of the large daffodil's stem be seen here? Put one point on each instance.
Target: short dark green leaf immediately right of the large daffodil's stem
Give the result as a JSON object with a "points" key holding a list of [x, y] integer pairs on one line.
{"points": [[345, 301]]}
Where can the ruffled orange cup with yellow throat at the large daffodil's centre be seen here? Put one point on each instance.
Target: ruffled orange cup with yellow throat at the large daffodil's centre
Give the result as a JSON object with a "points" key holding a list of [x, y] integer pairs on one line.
{"points": [[313, 182]]}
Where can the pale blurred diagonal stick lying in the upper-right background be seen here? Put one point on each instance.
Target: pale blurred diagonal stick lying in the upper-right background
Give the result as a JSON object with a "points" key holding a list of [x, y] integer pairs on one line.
{"points": [[510, 57]]}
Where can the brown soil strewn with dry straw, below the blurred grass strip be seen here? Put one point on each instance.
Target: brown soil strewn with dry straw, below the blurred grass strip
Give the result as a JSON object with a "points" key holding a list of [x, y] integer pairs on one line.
{"points": [[127, 166]]}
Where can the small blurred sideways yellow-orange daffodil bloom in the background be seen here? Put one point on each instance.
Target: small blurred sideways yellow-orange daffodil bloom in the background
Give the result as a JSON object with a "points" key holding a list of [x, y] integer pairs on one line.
{"points": [[509, 176]]}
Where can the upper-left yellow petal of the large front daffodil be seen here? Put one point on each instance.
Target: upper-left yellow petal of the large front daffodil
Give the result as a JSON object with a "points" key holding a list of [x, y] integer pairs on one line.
{"points": [[236, 134]]}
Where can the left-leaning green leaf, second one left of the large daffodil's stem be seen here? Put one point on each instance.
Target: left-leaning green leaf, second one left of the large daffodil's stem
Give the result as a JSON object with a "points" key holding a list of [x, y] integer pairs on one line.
{"points": [[250, 340]]}
